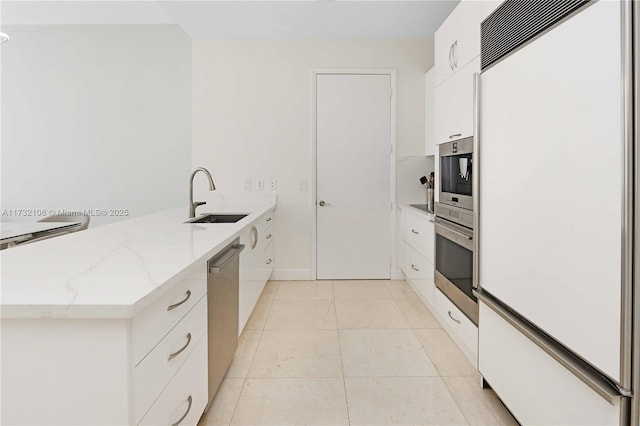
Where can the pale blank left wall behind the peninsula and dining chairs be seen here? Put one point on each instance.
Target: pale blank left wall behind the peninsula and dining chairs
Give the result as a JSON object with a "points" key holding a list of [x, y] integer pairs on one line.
{"points": [[95, 117]]}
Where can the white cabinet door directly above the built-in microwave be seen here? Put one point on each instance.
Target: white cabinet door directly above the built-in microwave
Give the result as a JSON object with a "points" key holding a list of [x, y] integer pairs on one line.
{"points": [[454, 105]]}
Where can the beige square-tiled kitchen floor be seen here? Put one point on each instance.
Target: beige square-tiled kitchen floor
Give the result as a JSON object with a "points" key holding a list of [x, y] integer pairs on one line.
{"points": [[349, 352]]}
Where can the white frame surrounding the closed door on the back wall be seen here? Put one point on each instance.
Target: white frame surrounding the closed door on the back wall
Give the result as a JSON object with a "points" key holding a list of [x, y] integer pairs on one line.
{"points": [[391, 72]]}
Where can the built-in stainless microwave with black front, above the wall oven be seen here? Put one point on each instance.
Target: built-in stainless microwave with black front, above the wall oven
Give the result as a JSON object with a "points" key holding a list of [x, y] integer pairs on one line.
{"points": [[456, 173]]}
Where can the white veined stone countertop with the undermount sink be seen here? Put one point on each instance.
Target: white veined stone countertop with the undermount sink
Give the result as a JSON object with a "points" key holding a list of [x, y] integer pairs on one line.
{"points": [[116, 270]]}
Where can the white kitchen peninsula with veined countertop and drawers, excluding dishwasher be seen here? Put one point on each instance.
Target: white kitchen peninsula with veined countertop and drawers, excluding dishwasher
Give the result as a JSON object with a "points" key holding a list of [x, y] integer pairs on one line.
{"points": [[89, 318]]}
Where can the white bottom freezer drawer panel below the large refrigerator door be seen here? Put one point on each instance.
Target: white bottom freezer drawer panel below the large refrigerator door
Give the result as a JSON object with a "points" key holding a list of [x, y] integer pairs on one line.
{"points": [[527, 379]]}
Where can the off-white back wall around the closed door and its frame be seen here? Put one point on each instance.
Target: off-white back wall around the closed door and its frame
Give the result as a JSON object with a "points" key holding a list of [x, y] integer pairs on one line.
{"points": [[252, 118]]}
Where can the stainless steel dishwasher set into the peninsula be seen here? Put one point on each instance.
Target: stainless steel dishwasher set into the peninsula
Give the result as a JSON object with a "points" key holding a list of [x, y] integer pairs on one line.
{"points": [[222, 307]]}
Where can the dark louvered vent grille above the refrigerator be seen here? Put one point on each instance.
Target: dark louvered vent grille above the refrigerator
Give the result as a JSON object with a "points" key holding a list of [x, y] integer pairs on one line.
{"points": [[516, 22]]}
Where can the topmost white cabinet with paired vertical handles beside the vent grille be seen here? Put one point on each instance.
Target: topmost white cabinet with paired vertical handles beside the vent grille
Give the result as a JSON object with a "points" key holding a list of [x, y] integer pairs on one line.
{"points": [[457, 41]]}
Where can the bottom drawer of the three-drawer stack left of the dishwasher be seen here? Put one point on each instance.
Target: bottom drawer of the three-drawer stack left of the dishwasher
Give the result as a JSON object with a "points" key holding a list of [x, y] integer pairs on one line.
{"points": [[184, 399]]}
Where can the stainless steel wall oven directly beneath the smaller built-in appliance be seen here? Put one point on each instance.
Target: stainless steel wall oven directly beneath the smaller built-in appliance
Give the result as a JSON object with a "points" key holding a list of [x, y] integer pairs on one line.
{"points": [[454, 258]]}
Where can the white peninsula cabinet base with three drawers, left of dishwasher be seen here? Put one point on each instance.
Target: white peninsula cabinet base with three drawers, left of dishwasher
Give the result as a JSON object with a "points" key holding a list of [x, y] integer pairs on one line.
{"points": [[107, 370]]}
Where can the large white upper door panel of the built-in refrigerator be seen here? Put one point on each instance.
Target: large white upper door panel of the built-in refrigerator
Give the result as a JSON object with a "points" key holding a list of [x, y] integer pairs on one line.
{"points": [[545, 129]]}
